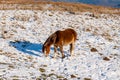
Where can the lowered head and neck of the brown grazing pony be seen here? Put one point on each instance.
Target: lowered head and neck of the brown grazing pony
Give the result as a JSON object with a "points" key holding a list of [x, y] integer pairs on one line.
{"points": [[48, 43]]}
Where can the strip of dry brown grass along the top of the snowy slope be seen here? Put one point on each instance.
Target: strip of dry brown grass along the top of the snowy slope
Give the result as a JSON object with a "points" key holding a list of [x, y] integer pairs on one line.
{"points": [[61, 6]]}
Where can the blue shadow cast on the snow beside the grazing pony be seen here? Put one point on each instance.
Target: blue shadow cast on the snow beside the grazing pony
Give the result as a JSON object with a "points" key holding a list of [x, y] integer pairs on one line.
{"points": [[27, 47]]}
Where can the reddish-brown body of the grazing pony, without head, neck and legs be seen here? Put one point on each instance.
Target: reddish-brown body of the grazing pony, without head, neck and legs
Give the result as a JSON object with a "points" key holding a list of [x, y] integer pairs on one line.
{"points": [[66, 36]]}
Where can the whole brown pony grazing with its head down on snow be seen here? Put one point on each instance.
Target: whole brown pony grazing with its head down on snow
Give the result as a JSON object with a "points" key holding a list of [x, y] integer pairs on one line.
{"points": [[59, 39]]}
